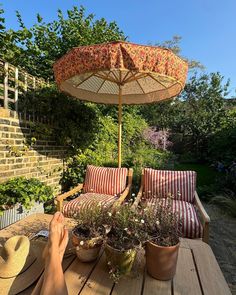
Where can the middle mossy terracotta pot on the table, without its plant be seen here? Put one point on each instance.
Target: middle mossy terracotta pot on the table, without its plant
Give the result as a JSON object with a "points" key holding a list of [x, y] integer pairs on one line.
{"points": [[123, 260]]}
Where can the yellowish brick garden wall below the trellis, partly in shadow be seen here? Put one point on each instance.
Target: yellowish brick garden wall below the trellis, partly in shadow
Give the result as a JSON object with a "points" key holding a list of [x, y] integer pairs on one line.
{"points": [[20, 156]]}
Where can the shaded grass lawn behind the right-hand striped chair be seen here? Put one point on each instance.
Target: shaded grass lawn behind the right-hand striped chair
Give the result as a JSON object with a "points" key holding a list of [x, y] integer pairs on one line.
{"points": [[205, 175]]}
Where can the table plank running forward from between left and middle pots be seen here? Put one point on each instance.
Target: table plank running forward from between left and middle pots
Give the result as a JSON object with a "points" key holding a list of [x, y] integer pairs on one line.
{"points": [[99, 281]]}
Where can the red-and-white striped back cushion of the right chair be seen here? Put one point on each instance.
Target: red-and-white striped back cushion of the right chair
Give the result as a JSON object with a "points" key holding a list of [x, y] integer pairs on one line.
{"points": [[161, 183]]}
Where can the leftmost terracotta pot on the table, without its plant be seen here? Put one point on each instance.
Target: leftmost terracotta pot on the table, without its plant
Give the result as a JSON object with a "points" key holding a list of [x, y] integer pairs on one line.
{"points": [[89, 250]]}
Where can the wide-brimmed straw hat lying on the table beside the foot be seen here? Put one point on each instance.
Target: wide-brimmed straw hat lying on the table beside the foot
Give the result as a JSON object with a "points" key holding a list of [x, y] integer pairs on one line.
{"points": [[21, 264]]}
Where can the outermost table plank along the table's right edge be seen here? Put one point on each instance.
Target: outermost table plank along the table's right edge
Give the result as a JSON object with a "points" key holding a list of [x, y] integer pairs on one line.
{"points": [[211, 277]]}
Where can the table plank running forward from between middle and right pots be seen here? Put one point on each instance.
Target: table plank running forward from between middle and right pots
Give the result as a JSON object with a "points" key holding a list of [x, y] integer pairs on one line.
{"points": [[132, 284]]}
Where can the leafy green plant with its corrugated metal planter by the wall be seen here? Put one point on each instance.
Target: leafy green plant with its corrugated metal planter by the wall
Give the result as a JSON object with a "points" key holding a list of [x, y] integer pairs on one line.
{"points": [[20, 197]]}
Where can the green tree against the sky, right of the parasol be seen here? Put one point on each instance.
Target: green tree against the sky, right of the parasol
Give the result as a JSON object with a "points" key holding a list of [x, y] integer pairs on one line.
{"points": [[204, 109]]}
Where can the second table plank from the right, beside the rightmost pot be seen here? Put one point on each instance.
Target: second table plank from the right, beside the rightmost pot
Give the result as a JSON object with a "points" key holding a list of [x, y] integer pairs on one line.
{"points": [[186, 281]]}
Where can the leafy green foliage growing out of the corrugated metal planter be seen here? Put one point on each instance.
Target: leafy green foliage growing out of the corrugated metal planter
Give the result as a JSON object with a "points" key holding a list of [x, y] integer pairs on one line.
{"points": [[23, 191]]}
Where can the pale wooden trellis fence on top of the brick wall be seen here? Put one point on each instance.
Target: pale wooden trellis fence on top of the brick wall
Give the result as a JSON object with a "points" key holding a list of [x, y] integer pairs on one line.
{"points": [[15, 82]]}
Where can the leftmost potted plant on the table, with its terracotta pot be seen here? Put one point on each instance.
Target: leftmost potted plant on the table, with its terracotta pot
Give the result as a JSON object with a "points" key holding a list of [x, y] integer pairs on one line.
{"points": [[89, 232]]}
